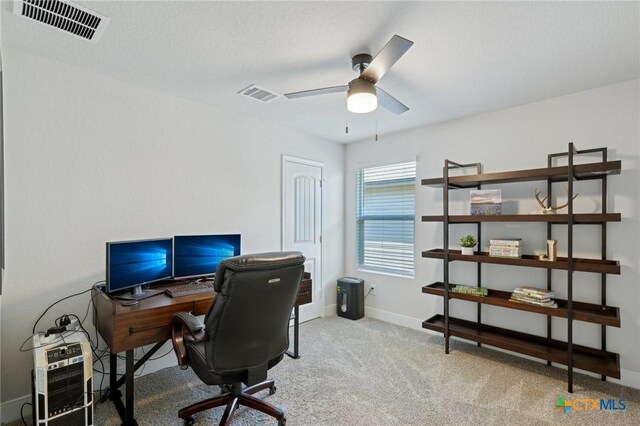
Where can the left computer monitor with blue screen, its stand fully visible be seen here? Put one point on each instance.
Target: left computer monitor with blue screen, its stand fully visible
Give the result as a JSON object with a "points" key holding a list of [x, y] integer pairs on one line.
{"points": [[132, 264]]}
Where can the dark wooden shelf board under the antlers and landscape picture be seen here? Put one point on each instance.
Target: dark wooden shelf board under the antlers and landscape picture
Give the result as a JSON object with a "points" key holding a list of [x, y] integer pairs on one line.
{"points": [[579, 218]]}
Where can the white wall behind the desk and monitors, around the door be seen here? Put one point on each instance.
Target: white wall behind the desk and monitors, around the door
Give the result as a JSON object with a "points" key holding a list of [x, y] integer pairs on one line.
{"points": [[90, 159]]}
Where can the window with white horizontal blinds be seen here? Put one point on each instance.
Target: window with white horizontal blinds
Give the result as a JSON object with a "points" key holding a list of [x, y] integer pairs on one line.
{"points": [[385, 210]]}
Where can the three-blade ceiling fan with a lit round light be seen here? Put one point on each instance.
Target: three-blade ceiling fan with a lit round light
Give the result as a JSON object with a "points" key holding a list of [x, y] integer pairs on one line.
{"points": [[362, 93]]}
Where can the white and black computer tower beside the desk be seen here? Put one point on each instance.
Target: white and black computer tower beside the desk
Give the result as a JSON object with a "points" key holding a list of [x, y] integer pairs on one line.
{"points": [[62, 380]]}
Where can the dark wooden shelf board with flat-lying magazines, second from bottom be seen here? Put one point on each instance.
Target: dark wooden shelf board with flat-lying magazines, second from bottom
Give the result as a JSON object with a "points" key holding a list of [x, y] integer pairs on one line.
{"points": [[588, 312]]}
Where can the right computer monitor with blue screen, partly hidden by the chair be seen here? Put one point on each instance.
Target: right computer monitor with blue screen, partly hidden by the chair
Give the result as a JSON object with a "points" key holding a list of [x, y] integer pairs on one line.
{"points": [[199, 255]]}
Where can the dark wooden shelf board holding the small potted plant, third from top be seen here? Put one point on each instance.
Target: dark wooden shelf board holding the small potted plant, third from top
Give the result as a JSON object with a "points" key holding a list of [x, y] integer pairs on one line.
{"points": [[579, 264]]}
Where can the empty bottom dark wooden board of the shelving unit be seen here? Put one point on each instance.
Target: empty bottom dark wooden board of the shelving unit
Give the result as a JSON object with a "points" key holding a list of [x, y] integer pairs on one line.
{"points": [[584, 358]]}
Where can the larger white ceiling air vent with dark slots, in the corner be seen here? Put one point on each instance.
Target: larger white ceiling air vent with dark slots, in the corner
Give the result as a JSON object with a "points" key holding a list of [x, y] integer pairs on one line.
{"points": [[65, 16]]}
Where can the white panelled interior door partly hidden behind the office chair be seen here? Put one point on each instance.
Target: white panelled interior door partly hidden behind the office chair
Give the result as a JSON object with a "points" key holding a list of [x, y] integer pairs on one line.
{"points": [[302, 222]]}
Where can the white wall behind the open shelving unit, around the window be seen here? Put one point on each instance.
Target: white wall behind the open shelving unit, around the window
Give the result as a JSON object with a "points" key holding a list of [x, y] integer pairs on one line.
{"points": [[512, 139]]}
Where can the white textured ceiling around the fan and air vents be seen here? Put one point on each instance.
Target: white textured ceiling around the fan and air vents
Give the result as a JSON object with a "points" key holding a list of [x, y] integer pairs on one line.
{"points": [[468, 58]]}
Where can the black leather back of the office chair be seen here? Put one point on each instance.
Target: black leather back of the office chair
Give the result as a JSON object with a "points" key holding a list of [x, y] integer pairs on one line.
{"points": [[248, 322]]}
